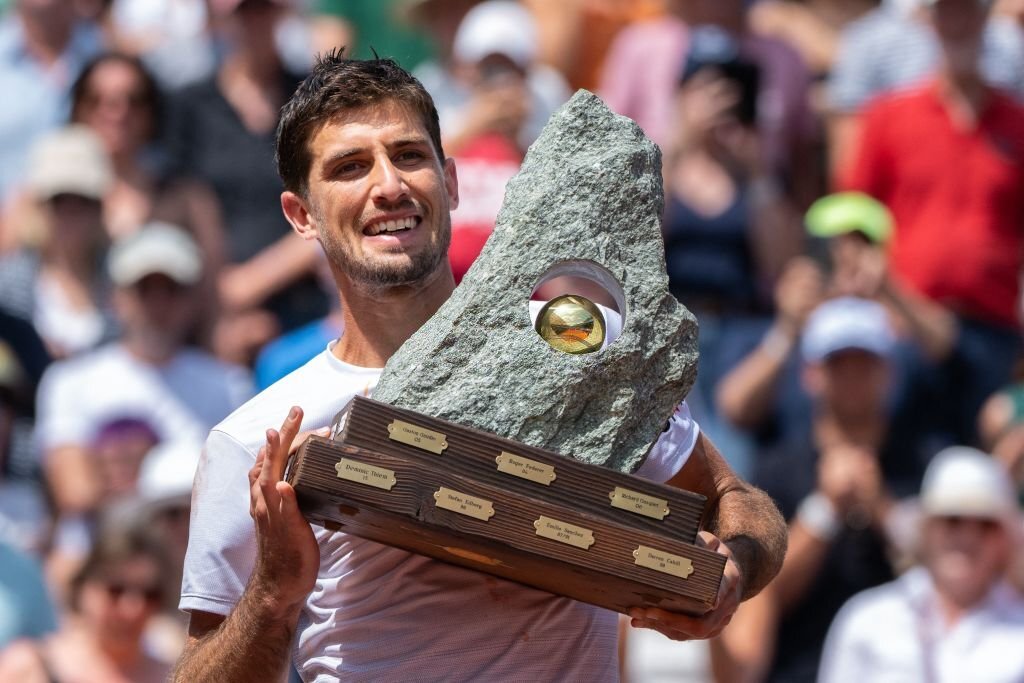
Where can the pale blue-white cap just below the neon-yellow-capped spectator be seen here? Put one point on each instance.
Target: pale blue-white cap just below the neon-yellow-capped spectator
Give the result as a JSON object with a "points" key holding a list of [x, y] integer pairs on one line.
{"points": [[847, 323]]}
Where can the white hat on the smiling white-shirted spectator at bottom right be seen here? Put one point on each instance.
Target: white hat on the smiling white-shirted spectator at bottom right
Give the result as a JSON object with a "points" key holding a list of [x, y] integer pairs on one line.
{"points": [[966, 483]]}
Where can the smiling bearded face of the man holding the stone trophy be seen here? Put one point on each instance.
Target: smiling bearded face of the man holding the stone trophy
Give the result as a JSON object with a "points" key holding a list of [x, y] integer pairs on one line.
{"points": [[379, 197]]}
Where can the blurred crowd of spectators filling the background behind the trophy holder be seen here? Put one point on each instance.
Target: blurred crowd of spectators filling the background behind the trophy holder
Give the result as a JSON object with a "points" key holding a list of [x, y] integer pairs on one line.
{"points": [[844, 215]]}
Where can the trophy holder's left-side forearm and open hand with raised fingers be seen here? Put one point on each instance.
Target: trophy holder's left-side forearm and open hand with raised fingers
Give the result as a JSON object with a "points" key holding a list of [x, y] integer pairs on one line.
{"points": [[254, 642]]}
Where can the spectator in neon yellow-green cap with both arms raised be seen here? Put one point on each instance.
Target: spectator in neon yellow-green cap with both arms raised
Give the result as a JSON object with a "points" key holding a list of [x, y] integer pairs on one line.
{"points": [[850, 230]]}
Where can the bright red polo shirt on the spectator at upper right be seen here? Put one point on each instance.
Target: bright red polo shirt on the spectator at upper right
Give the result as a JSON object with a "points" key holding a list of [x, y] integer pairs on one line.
{"points": [[957, 195]]}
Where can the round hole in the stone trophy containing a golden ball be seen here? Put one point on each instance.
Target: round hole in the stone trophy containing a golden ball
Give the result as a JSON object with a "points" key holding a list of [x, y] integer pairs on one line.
{"points": [[567, 307]]}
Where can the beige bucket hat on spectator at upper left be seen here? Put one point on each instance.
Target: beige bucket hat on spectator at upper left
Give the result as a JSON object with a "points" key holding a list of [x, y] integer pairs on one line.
{"points": [[69, 161]]}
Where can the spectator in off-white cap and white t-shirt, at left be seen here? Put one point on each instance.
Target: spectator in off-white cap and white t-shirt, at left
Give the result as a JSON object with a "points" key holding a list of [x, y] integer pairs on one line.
{"points": [[147, 388]]}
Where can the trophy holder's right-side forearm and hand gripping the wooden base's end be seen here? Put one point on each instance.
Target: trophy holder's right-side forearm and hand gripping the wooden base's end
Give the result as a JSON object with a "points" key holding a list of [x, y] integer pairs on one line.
{"points": [[744, 525]]}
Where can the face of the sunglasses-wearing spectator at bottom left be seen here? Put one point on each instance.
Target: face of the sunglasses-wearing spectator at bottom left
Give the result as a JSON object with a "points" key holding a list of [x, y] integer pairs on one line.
{"points": [[117, 603]]}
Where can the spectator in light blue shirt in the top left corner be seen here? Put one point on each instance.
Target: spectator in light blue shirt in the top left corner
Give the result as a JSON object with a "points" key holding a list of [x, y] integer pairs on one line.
{"points": [[42, 48]]}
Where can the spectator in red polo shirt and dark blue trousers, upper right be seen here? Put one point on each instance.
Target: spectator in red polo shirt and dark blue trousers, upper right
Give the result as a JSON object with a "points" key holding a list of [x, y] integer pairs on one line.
{"points": [[948, 158]]}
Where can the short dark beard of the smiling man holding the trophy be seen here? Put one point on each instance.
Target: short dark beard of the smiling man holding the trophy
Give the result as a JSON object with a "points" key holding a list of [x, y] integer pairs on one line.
{"points": [[383, 273]]}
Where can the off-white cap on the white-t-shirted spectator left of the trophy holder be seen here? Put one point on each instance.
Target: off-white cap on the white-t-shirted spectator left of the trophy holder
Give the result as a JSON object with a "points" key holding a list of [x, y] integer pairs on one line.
{"points": [[157, 248]]}
